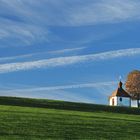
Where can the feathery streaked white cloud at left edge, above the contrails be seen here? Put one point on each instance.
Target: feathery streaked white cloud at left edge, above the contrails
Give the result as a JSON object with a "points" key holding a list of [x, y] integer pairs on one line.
{"points": [[21, 33]]}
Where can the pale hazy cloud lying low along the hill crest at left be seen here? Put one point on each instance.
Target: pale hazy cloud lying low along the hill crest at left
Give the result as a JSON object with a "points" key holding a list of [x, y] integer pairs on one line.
{"points": [[57, 95]]}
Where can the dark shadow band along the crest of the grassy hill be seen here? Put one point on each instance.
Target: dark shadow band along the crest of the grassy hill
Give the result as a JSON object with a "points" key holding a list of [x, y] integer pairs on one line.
{"points": [[52, 104]]}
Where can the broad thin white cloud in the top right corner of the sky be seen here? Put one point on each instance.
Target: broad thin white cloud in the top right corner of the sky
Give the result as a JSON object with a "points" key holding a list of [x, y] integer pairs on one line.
{"points": [[105, 11]]}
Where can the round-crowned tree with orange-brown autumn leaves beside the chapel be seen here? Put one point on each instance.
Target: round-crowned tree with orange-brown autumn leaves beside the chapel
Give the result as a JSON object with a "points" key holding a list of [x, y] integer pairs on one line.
{"points": [[133, 85]]}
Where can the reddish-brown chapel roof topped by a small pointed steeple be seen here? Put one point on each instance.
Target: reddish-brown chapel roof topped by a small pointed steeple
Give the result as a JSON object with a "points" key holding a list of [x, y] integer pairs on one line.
{"points": [[120, 92]]}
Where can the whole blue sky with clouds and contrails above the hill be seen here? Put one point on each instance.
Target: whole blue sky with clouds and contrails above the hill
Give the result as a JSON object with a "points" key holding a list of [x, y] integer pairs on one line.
{"points": [[68, 50]]}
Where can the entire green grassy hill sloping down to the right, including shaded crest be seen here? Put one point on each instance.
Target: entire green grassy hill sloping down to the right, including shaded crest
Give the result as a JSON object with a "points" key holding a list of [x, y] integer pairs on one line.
{"points": [[35, 119]]}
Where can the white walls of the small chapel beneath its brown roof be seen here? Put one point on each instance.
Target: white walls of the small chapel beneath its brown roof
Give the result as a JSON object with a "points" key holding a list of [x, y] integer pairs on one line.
{"points": [[120, 101]]}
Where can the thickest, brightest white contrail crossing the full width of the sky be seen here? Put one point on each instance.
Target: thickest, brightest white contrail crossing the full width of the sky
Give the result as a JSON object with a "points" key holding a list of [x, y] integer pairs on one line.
{"points": [[62, 61]]}
